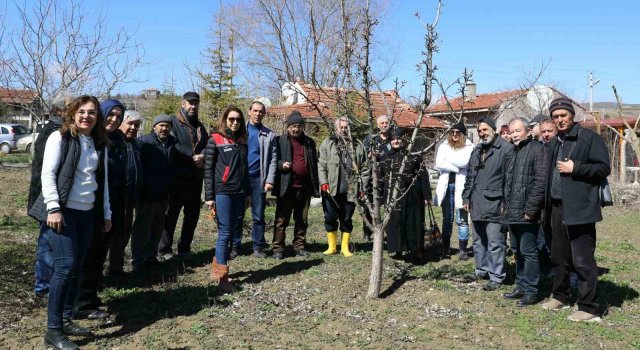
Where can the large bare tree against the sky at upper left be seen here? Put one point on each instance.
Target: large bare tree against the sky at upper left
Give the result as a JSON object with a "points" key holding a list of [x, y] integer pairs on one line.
{"points": [[58, 46]]}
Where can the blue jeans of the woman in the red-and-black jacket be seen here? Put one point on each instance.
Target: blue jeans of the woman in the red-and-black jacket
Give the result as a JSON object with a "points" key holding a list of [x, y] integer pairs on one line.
{"points": [[230, 210]]}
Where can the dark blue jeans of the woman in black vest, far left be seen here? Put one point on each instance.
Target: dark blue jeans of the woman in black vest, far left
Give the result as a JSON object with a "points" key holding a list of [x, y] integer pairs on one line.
{"points": [[68, 249]]}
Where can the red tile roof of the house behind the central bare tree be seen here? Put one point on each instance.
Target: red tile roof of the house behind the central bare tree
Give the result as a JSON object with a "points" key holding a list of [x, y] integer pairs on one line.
{"points": [[327, 98]]}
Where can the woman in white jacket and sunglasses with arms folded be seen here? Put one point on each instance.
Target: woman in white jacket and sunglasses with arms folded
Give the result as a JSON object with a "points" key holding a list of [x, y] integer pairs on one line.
{"points": [[452, 161]]}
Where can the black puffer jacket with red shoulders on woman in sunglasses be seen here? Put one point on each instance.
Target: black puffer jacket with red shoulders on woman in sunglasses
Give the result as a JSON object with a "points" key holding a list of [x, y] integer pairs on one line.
{"points": [[226, 170]]}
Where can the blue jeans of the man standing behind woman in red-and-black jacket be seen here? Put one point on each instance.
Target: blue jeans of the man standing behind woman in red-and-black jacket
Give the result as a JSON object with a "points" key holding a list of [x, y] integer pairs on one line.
{"points": [[258, 205]]}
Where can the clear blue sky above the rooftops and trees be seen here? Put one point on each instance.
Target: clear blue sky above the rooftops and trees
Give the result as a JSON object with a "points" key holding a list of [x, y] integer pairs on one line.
{"points": [[504, 42]]}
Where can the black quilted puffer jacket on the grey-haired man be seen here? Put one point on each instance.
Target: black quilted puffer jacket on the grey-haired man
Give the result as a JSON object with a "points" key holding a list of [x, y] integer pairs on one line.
{"points": [[524, 184]]}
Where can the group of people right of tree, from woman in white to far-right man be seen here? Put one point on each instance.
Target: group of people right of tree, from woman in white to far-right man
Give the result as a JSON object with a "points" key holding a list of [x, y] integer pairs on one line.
{"points": [[540, 183]]}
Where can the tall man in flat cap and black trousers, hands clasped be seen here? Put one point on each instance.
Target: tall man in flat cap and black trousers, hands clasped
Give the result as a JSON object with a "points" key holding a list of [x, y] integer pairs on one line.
{"points": [[191, 139]]}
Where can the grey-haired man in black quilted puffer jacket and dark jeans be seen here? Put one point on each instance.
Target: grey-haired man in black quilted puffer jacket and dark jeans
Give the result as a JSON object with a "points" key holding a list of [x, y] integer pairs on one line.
{"points": [[523, 201]]}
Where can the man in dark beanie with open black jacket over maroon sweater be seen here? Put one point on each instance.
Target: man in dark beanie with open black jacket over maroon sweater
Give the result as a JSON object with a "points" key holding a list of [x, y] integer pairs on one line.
{"points": [[295, 181]]}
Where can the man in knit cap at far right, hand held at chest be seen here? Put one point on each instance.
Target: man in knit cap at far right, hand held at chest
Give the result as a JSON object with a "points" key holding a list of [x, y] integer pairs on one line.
{"points": [[578, 164]]}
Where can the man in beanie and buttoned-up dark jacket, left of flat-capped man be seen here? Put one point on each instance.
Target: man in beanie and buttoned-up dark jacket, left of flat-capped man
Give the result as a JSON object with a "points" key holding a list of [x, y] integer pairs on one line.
{"points": [[157, 151]]}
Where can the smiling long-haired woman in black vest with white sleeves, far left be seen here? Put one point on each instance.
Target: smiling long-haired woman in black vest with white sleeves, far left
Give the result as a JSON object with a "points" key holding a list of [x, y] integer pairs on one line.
{"points": [[73, 201]]}
